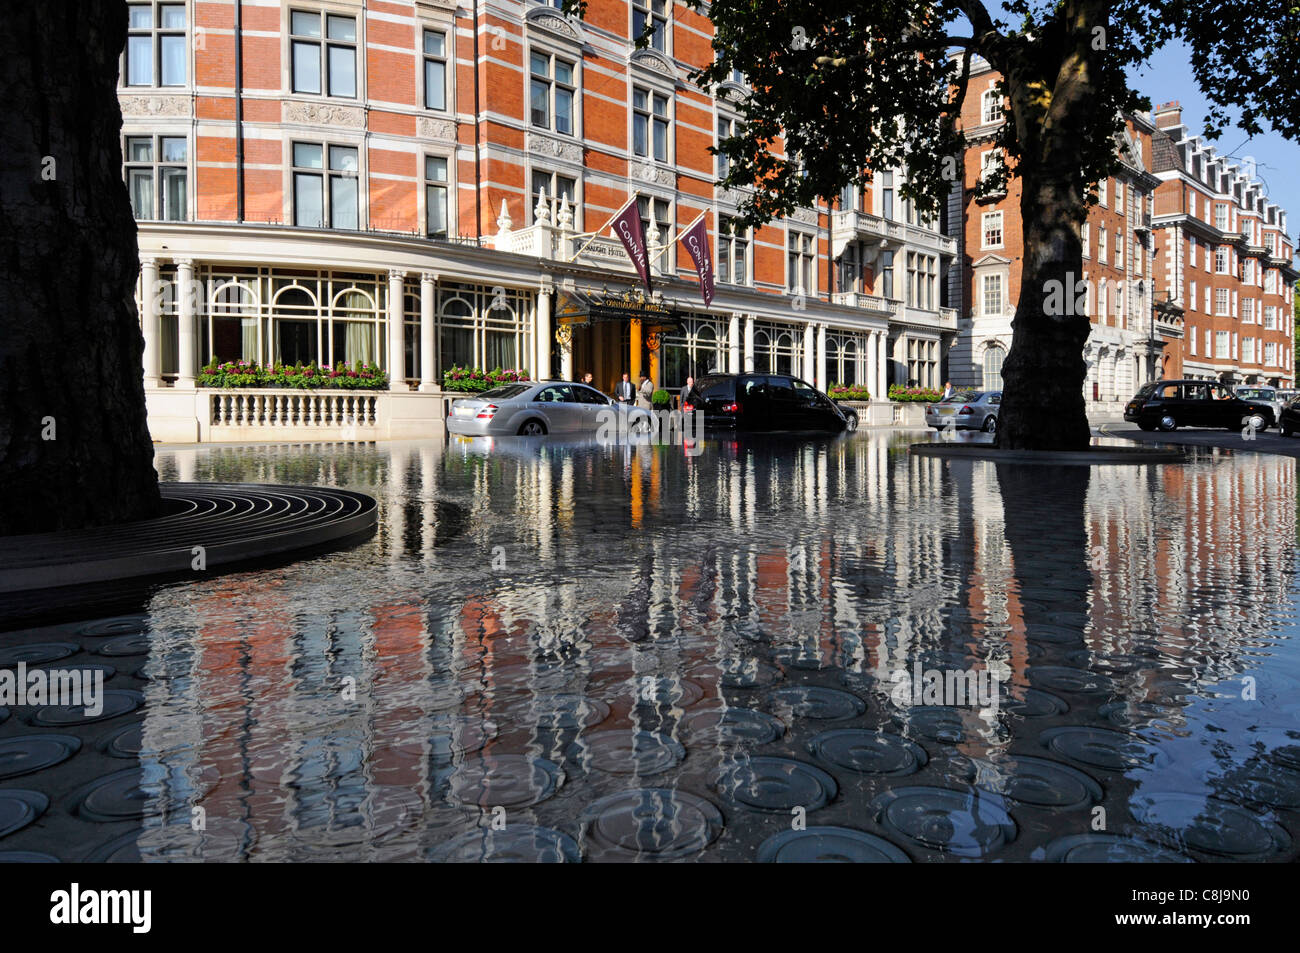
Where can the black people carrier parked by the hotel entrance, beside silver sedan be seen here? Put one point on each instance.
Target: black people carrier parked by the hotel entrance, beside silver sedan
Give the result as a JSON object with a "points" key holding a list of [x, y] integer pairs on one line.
{"points": [[766, 402]]}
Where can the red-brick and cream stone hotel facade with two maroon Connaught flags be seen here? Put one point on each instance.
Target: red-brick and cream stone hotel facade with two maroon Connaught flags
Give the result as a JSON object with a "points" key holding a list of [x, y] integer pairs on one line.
{"points": [[417, 184]]}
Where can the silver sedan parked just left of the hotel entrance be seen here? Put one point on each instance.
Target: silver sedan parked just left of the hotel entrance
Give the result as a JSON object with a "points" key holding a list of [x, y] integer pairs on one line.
{"points": [[541, 408]]}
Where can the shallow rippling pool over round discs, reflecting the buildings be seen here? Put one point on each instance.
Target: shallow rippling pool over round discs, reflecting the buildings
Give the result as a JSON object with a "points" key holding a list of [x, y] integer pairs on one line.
{"points": [[564, 653]]}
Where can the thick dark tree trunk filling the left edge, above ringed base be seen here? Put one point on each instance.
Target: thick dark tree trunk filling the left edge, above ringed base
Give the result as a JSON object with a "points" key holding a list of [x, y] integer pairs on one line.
{"points": [[75, 444]]}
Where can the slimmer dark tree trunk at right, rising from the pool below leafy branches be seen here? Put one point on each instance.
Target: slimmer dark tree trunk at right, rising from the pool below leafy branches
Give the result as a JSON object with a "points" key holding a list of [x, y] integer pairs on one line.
{"points": [[1043, 406]]}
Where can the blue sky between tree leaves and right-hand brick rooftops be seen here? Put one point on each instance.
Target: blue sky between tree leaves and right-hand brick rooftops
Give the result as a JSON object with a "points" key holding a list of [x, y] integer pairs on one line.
{"points": [[1169, 77]]}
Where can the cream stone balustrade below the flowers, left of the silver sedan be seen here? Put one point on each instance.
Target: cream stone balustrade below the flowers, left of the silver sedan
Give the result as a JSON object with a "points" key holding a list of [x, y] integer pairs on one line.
{"points": [[293, 409]]}
